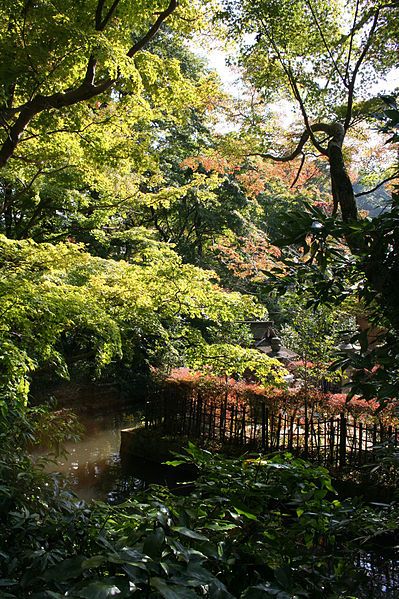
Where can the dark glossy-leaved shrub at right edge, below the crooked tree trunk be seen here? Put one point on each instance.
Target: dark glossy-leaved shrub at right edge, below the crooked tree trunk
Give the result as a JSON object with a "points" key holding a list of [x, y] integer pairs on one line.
{"points": [[332, 277]]}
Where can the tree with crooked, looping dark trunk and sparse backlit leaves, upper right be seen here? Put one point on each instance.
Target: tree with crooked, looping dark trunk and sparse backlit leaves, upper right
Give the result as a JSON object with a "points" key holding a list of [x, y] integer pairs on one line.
{"points": [[304, 49]]}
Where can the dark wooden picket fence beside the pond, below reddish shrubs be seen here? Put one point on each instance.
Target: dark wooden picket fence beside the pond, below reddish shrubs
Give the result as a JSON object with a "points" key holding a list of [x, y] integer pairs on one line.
{"points": [[216, 421]]}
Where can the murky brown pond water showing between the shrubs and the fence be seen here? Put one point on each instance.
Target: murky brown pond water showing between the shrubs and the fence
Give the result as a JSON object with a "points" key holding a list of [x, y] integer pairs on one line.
{"points": [[95, 471]]}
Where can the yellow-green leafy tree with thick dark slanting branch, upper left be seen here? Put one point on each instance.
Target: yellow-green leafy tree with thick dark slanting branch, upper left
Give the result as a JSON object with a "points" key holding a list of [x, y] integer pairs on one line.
{"points": [[77, 120]]}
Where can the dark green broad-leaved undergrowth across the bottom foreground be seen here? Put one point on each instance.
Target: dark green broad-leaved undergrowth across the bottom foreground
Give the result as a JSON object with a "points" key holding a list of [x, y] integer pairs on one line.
{"points": [[250, 527]]}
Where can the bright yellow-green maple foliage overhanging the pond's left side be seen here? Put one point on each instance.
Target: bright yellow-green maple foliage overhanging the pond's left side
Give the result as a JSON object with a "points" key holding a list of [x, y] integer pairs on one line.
{"points": [[61, 306]]}
